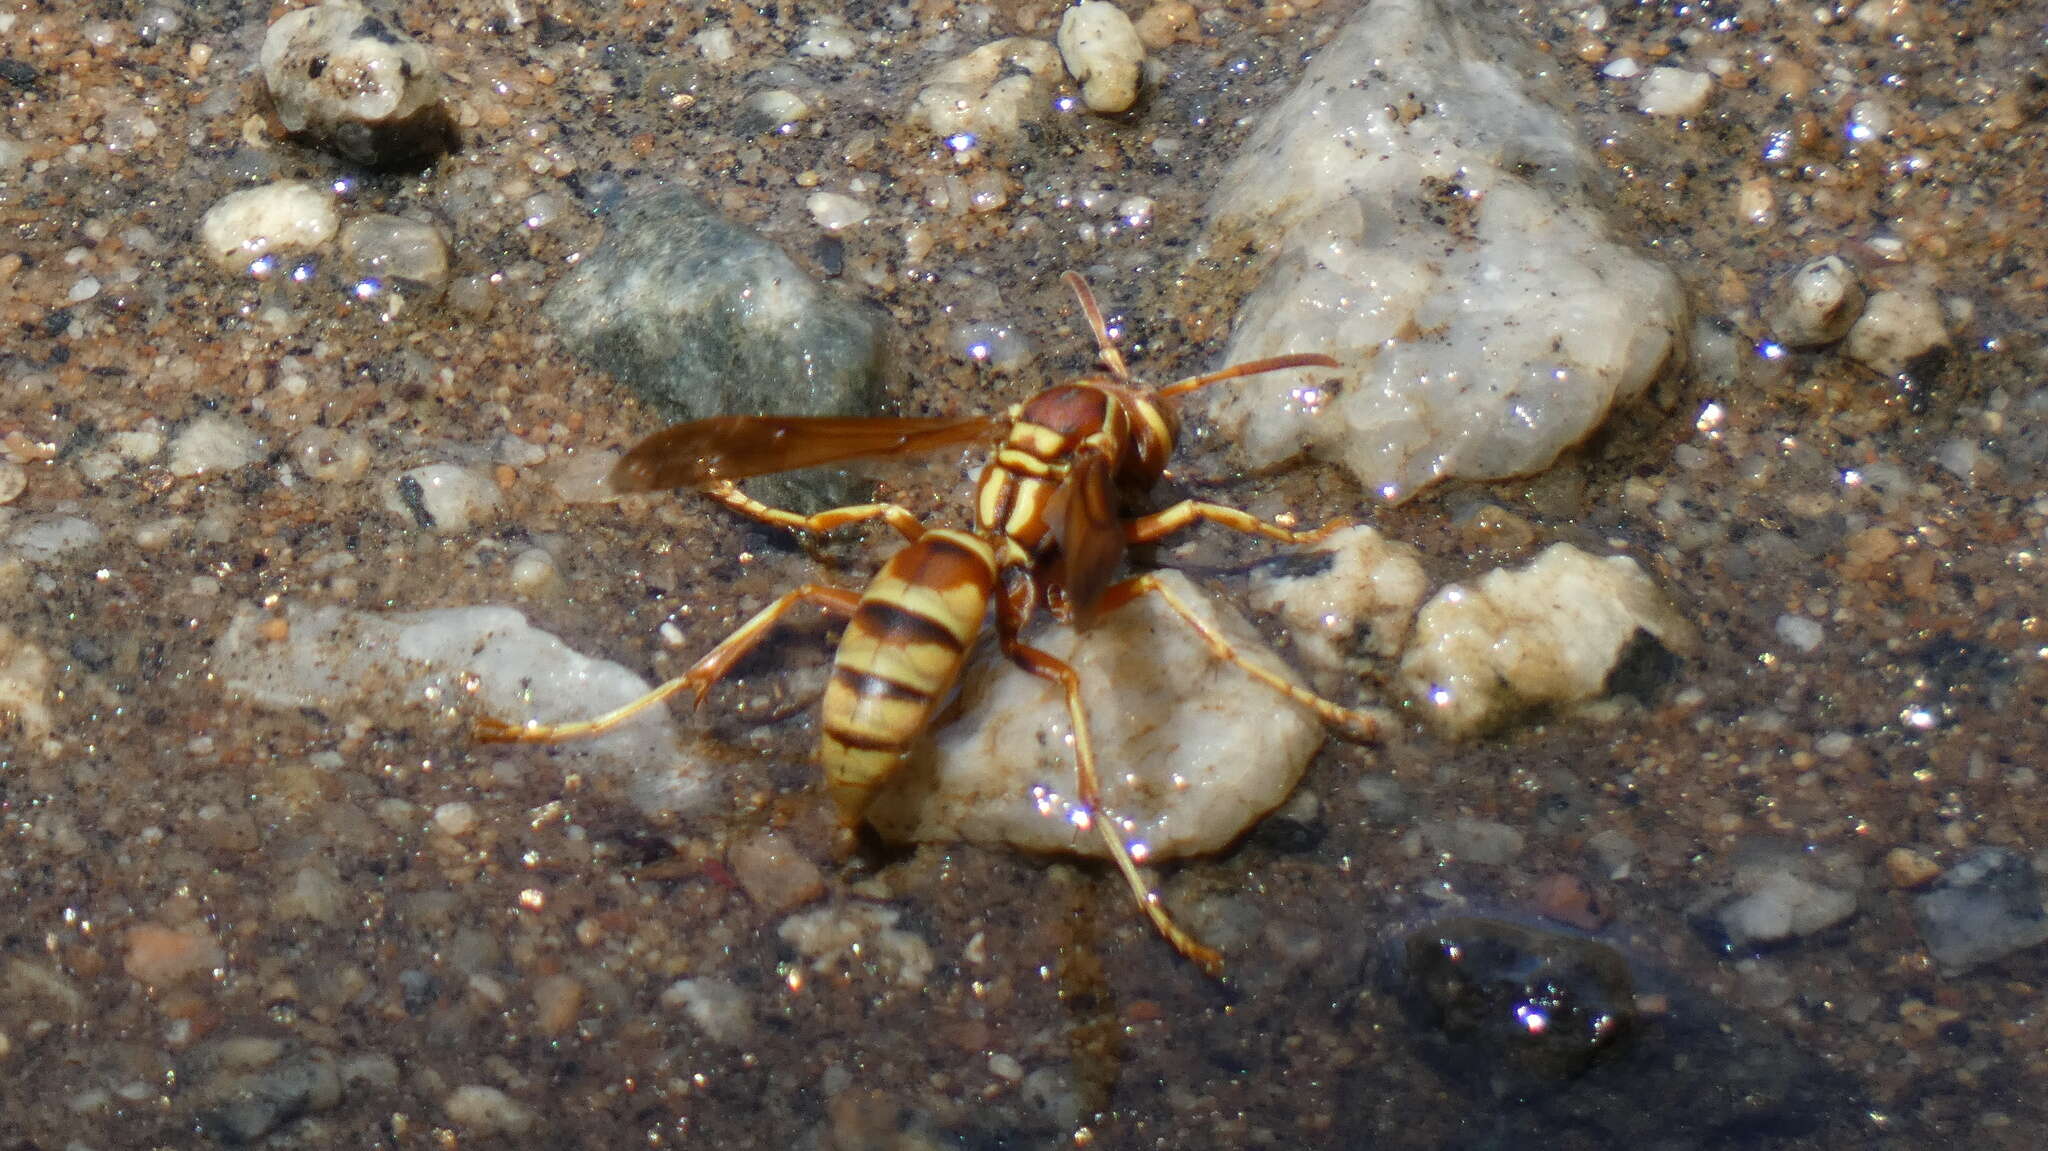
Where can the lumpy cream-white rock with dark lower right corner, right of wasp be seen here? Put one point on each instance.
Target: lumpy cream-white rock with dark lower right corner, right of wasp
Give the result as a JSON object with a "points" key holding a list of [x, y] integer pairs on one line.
{"points": [[1547, 634]]}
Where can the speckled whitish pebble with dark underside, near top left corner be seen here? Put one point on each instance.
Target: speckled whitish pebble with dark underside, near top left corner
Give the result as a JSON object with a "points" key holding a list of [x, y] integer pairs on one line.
{"points": [[353, 83]]}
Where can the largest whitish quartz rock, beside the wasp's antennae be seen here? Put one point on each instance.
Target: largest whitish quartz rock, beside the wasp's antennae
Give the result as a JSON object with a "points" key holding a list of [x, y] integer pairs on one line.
{"points": [[1433, 226]]}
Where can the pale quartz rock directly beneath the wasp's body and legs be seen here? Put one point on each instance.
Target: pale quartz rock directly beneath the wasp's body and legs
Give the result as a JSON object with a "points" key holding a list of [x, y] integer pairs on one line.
{"points": [[1191, 751]]}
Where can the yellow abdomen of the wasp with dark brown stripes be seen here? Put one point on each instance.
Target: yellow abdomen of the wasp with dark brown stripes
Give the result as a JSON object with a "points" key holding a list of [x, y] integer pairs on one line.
{"points": [[900, 658]]}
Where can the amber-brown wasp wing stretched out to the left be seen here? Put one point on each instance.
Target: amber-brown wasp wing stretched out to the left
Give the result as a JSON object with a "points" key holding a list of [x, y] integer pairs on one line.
{"points": [[736, 447]]}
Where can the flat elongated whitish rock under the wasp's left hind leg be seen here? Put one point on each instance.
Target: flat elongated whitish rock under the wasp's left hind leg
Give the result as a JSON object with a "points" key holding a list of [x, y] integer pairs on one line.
{"points": [[484, 658]]}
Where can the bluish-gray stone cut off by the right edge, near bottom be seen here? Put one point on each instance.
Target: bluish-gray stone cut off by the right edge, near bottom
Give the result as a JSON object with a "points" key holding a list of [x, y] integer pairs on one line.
{"points": [[1981, 910]]}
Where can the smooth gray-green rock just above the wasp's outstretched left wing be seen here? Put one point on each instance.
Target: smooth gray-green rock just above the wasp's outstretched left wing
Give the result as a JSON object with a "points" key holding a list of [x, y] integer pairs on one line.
{"points": [[706, 318]]}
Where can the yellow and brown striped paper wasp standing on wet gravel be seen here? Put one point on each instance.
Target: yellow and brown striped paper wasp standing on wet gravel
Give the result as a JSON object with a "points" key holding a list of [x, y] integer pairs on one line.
{"points": [[1048, 531]]}
